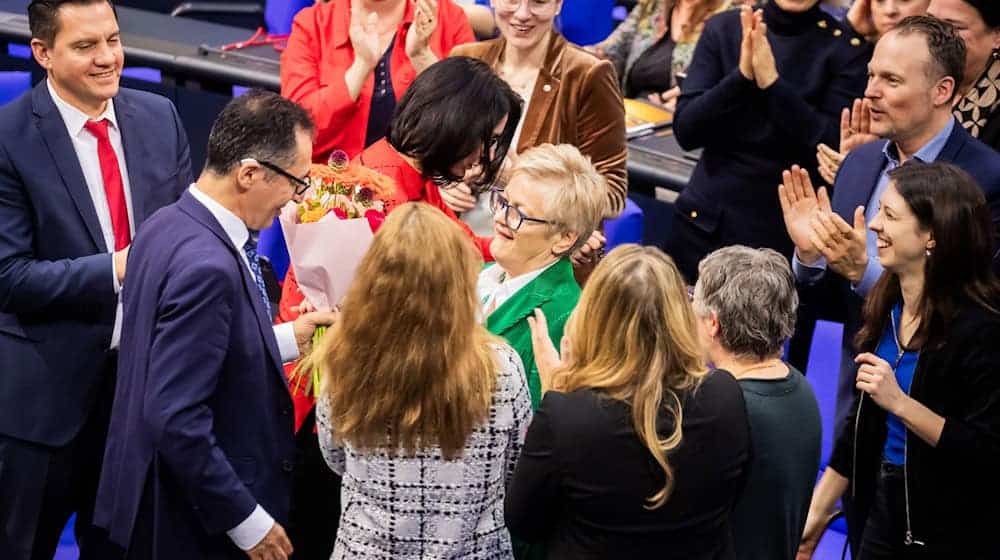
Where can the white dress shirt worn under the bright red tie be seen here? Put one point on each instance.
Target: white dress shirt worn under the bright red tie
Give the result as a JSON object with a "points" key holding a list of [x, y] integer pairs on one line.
{"points": [[85, 146]]}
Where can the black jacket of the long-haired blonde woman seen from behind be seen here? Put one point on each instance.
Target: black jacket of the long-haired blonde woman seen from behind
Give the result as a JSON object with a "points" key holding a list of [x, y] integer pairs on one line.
{"points": [[583, 476]]}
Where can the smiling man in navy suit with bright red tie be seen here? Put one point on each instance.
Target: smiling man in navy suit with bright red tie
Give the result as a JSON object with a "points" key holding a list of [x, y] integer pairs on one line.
{"points": [[80, 169]]}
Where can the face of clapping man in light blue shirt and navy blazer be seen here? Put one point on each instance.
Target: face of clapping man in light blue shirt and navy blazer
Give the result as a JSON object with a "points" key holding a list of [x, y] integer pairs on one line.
{"points": [[902, 94]]}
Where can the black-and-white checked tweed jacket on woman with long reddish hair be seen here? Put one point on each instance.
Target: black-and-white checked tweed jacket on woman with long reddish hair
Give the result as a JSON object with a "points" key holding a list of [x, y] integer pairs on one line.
{"points": [[424, 506]]}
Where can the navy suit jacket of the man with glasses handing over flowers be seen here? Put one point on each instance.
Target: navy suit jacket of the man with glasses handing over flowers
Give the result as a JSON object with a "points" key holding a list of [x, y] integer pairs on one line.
{"points": [[202, 425]]}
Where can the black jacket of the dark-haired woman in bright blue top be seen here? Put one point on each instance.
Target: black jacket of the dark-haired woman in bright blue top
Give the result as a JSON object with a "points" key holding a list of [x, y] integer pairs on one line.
{"points": [[952, 488]]}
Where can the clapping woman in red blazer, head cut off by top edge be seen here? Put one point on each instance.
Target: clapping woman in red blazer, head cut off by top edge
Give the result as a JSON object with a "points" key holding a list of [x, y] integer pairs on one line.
{"points": [[348, 62]]}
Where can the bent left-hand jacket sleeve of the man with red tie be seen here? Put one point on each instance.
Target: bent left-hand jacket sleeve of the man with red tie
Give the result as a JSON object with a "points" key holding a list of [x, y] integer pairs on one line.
{"points": [[28, 285]]}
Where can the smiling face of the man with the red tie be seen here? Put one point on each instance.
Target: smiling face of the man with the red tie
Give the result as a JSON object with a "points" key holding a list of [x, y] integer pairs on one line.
{"points": [[84, 61]]}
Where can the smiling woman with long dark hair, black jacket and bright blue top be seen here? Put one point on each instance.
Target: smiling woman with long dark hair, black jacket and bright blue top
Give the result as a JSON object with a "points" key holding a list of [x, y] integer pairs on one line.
{"points": [[921, 453]]}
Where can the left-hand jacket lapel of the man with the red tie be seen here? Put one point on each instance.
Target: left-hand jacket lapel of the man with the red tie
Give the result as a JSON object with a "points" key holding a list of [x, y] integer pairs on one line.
{"points": [[60, 147]]}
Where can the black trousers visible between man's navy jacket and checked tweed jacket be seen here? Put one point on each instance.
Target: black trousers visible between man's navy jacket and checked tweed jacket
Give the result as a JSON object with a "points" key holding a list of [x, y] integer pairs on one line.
{"points": [[315, 514]]}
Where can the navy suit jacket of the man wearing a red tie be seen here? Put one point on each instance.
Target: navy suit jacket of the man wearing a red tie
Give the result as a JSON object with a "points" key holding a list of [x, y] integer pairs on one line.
{"points": [[57, 300]]}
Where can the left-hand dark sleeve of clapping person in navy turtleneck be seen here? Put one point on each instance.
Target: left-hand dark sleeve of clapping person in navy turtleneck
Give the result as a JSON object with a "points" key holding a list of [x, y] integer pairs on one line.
{"points": [[714, 98]]}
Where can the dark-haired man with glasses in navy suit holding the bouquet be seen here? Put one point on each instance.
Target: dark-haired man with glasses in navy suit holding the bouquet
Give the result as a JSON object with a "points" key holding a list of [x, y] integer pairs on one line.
{"points": [[200, 452]]}
